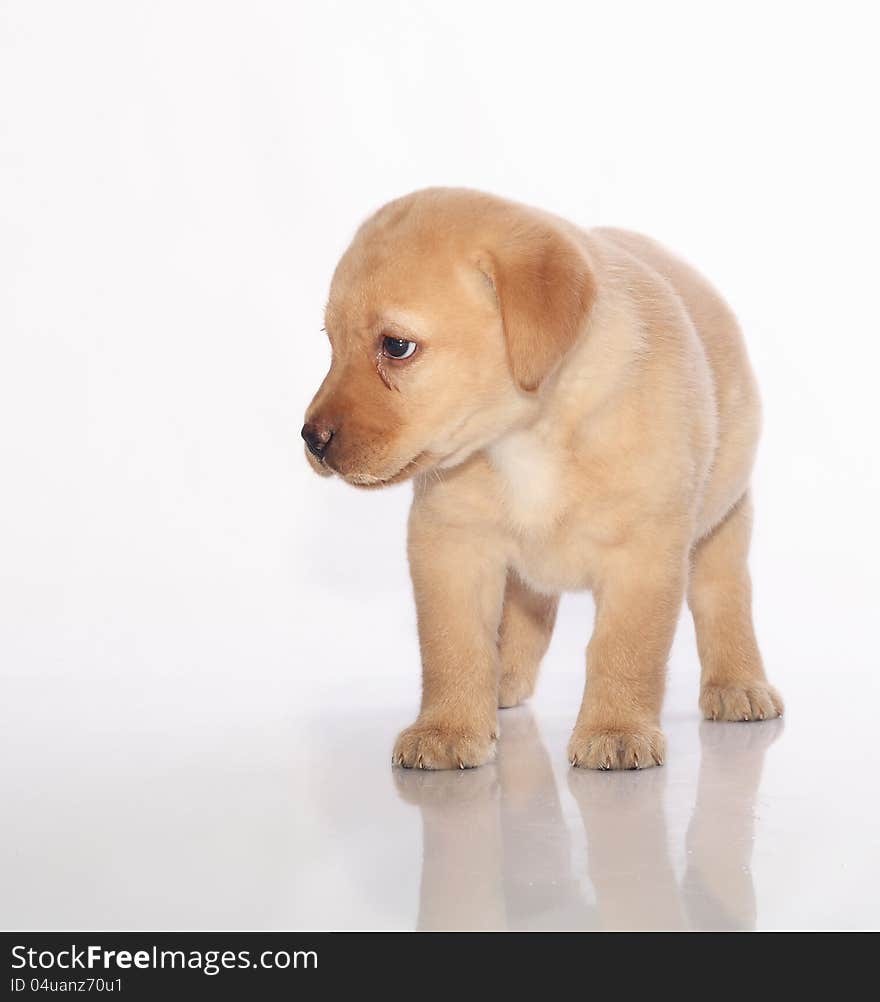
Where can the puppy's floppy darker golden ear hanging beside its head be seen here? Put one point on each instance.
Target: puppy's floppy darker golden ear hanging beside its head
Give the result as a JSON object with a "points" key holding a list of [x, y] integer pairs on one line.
{"points": [[545, 289]]}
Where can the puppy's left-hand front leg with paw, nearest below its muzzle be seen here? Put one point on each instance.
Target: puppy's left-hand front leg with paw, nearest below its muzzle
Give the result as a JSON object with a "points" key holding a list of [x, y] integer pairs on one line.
{"points": [[459, 580]]}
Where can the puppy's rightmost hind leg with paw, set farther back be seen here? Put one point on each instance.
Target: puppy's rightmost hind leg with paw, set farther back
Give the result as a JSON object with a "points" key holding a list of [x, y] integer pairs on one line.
{"points": [[733, 686]]}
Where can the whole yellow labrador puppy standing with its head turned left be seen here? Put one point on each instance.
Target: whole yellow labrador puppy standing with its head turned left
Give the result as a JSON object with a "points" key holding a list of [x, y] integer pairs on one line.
{"points": [[578, 411]]}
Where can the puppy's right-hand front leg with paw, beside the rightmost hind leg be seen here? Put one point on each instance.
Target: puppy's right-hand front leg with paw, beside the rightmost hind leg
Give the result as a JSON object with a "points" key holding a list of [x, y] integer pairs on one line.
{"points": [[638, 607]]}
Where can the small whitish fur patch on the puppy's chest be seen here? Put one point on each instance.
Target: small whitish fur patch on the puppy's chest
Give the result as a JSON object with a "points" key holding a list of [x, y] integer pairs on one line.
{"points": [[530, 476]]}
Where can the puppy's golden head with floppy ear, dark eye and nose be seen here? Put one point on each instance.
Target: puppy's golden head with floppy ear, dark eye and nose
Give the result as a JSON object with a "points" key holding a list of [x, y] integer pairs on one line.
{"points": [[447, 315]]}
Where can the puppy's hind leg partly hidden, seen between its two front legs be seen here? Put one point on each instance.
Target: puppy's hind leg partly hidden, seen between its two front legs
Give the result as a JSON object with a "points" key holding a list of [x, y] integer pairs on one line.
{"points": [[527, 628]]}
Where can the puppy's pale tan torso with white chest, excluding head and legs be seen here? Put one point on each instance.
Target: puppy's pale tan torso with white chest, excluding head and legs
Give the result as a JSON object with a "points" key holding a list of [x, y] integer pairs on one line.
{"points": [[654, 418]]}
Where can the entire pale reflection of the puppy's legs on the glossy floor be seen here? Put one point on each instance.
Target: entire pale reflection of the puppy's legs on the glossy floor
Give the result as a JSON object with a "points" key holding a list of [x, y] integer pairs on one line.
{"points": [[498, 851]]}
